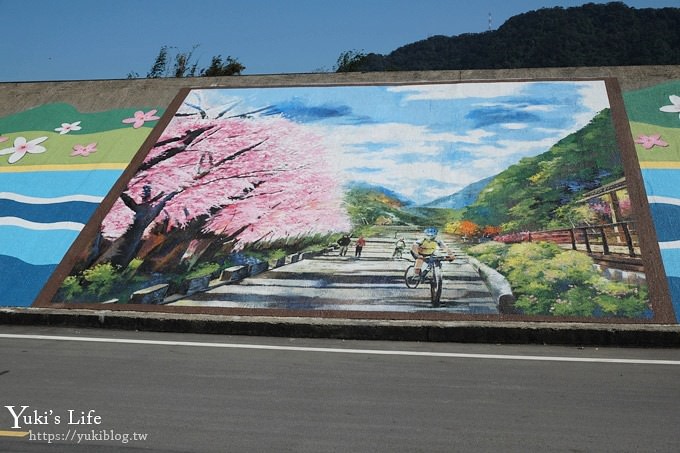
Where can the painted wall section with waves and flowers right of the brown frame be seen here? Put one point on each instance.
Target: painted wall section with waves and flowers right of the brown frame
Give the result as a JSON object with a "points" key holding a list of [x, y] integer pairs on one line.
{"points": [[654, 115]]}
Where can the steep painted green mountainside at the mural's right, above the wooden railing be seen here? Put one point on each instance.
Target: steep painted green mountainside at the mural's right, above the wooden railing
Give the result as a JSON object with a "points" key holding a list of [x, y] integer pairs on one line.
{"points": [[527, 195]]}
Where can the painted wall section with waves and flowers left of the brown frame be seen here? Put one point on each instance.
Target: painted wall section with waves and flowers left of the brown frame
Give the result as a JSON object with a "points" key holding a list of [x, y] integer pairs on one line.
{"points": [[56, 165]]}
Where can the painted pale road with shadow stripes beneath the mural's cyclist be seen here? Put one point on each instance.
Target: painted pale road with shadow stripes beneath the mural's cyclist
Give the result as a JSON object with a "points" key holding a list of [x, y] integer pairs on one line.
{"points": [[373, 282]]}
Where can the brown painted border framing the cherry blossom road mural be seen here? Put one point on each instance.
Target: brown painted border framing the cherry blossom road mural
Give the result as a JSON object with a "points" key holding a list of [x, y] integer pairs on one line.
{"points": [[659, 294]]}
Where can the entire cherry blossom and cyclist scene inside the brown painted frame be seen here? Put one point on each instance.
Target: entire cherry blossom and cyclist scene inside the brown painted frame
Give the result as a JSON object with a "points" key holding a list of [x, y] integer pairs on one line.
{"points": [[312, 199]]}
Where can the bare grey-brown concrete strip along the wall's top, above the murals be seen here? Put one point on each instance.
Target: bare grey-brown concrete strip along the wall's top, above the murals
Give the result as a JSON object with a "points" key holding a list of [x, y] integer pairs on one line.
{"points": [[90, 96]]}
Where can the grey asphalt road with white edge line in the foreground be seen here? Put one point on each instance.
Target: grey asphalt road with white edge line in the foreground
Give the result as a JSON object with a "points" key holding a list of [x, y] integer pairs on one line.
{"points": [[202, 393]]}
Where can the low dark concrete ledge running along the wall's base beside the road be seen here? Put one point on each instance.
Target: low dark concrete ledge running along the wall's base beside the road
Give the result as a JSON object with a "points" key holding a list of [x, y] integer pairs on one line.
{"points": [[579, 334]]}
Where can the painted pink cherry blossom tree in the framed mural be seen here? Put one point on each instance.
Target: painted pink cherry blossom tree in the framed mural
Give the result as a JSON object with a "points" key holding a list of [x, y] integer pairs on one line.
{"points": [[243, 179]]}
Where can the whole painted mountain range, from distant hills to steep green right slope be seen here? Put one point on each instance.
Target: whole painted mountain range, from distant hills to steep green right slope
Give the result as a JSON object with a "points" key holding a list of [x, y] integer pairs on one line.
{"points": [[540, 192]]}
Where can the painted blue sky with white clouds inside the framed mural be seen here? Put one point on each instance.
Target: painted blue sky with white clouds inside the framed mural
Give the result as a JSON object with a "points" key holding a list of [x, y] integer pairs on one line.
{"points": [[424, 141]]}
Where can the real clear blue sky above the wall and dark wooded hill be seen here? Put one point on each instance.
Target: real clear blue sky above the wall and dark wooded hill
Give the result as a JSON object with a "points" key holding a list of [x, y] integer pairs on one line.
{"points": [[46, 40]]}
